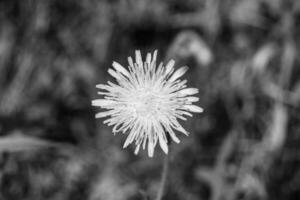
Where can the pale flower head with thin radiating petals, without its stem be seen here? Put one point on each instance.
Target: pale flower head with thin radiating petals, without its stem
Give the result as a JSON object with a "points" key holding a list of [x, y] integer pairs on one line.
{"points": [[147, 102]]}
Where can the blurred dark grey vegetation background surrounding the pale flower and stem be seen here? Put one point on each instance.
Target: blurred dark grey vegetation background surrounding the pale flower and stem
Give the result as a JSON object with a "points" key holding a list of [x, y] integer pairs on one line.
{"points": [[242, 55]]}
